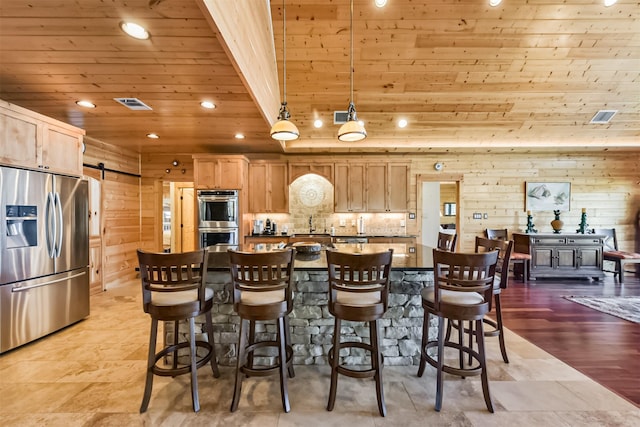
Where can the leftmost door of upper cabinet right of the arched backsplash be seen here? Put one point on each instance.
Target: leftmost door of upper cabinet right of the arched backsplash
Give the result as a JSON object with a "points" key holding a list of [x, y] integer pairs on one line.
{"points": [[349, 187]]}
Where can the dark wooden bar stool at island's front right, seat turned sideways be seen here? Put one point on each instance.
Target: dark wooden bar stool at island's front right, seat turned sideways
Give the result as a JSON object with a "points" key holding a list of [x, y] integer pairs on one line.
{"points": [[462, 291]]}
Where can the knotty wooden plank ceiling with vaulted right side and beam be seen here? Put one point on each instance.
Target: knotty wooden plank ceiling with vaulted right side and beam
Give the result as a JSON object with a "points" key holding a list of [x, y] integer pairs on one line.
{"points": [[526, 75]]}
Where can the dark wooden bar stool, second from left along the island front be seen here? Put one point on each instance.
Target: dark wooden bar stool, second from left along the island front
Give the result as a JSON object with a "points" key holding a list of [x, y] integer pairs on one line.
{"points": [[262, 291]]}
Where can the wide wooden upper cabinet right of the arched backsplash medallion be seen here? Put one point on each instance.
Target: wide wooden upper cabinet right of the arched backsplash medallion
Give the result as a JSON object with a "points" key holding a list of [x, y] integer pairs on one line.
{"points": [[371, 187]]}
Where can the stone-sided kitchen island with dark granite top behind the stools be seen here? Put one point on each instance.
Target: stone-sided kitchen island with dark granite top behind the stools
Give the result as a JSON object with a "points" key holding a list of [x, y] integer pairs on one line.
{"points": [[311, 323]]}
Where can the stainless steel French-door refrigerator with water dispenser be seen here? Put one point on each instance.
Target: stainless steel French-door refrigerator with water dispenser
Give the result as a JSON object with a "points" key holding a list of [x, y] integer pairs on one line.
{"points": [[44, 254]]}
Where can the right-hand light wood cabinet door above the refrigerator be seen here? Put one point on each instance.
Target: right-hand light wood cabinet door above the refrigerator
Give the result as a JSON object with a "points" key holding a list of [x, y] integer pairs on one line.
{"points": [[61, 152]]}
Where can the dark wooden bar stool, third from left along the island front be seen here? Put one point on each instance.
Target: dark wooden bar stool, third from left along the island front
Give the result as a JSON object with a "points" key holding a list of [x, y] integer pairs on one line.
{"points": [[358, 292]]}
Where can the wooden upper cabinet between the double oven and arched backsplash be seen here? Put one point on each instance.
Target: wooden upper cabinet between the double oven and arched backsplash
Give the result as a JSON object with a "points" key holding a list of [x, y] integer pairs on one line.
{"points": [[268, 187]]}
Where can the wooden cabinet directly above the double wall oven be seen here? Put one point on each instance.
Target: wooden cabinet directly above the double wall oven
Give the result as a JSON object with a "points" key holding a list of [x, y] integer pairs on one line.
{"points": [[219, 172]]}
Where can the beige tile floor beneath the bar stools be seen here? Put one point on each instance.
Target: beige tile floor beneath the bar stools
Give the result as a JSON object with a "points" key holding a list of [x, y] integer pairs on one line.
{"points": [[92, 374]]}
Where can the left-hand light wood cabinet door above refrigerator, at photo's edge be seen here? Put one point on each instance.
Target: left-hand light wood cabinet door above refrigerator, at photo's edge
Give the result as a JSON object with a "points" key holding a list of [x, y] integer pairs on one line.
{"points": [[19, 145]]}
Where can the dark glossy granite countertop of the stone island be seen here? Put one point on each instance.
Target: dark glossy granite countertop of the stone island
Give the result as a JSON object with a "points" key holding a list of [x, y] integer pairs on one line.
{"points": [[405, 257]]}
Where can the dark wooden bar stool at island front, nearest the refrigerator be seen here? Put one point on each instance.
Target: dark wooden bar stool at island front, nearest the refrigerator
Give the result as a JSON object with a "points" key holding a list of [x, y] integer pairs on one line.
{"points": [[174, 289]]}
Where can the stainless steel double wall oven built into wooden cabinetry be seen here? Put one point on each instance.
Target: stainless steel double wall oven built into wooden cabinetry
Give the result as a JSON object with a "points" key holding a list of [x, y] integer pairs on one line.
{"points": [[218, 218]]}
